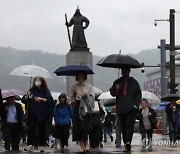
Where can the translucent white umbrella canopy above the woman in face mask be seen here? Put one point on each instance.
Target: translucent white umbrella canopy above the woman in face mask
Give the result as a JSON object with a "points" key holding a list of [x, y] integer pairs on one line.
{"points": [[31, 71]]}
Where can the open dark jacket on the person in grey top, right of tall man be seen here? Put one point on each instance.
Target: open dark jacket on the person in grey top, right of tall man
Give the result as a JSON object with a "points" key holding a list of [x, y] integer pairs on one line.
{"points": [[152, 119]]}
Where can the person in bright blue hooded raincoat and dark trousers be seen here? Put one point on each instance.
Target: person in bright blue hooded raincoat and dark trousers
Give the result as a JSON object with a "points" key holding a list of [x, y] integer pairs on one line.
{"points": [[63, 113]]}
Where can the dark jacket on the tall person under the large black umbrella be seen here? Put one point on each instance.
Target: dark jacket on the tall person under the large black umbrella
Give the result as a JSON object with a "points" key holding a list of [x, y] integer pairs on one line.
{"points": [[126, 103]]}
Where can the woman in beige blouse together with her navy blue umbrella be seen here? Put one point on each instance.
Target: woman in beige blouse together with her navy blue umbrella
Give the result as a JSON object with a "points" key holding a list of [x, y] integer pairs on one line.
{"points": [[82, 94]]}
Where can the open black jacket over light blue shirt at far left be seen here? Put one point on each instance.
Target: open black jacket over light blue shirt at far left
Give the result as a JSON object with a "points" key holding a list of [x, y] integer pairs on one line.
{"points": [[19, 112]]}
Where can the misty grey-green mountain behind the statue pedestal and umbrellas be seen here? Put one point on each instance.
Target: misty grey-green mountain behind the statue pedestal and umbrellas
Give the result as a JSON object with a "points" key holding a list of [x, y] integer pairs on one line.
{"points": [[11, 58]]}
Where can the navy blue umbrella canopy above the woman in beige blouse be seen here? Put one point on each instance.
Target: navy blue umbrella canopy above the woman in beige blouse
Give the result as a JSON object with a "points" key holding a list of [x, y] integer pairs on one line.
{"points": [[72, 70]]}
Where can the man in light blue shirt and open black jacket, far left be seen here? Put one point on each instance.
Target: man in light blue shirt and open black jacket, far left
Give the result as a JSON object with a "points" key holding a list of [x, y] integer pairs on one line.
{"points": [[12, 115]]}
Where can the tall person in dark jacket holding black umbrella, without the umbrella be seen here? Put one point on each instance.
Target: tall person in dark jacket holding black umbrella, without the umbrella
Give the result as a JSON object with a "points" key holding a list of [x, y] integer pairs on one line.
{"points": [[128, 97]]}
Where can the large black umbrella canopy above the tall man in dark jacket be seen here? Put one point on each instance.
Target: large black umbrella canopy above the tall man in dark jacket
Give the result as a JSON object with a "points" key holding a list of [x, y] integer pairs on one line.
{"points": [[119, 61]]}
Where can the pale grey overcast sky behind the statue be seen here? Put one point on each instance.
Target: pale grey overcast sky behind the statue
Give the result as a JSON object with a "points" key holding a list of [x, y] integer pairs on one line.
{"points": [[126, 25]]}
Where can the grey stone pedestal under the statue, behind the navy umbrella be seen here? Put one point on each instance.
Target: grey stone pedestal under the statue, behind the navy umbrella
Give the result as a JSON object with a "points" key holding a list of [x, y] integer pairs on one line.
{"points": [[78, 58]]}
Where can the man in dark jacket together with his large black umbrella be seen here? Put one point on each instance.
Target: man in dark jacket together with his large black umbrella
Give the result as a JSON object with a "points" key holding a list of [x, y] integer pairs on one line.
{"points": [[127, 92]]}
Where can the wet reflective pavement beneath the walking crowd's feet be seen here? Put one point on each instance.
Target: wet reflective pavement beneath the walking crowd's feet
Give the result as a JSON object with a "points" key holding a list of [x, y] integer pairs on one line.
{"points": [[160, 146]]}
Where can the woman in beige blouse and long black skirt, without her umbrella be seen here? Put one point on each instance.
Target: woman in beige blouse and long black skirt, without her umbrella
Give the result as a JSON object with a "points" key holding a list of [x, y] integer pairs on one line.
{"points": [[81, 119]]}
